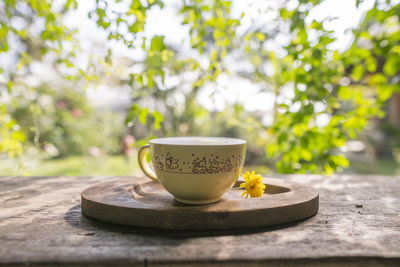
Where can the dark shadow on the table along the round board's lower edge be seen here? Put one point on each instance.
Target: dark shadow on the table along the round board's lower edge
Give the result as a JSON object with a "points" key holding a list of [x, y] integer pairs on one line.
{"points": [[75, 218]]}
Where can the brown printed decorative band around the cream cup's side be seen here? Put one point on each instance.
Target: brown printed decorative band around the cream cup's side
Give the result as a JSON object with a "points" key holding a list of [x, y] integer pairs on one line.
{"points": [[198, 165]]}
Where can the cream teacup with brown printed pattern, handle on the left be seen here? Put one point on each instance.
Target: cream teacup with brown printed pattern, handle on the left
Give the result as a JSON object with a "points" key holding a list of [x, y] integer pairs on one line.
{"points": [[195, 170]]}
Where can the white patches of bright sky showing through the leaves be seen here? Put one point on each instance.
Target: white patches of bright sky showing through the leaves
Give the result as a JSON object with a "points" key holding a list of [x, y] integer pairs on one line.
{"points": [[227, 90]]}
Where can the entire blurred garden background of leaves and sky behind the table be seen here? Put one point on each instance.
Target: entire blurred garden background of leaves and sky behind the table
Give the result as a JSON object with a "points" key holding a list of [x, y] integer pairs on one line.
{"points": [[314, 86]]}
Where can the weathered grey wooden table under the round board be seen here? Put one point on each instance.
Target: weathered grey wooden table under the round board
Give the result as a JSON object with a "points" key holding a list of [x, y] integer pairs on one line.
{"points": [[358, 224]]}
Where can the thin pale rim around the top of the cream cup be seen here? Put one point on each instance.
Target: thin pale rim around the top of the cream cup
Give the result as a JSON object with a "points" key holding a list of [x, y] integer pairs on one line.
{"points": [[211, 141]]}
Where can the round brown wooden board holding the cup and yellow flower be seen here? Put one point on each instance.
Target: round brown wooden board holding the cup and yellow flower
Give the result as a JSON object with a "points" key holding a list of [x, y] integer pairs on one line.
{"points": [[143, 203]]}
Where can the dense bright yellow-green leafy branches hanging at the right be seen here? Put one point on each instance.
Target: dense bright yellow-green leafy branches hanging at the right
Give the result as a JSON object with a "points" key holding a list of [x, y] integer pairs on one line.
{"points": [[350, 86]]}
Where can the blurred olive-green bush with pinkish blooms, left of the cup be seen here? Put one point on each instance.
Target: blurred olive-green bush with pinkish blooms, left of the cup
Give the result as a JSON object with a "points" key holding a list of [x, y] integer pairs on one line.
{"points": [[62, 122]]}
